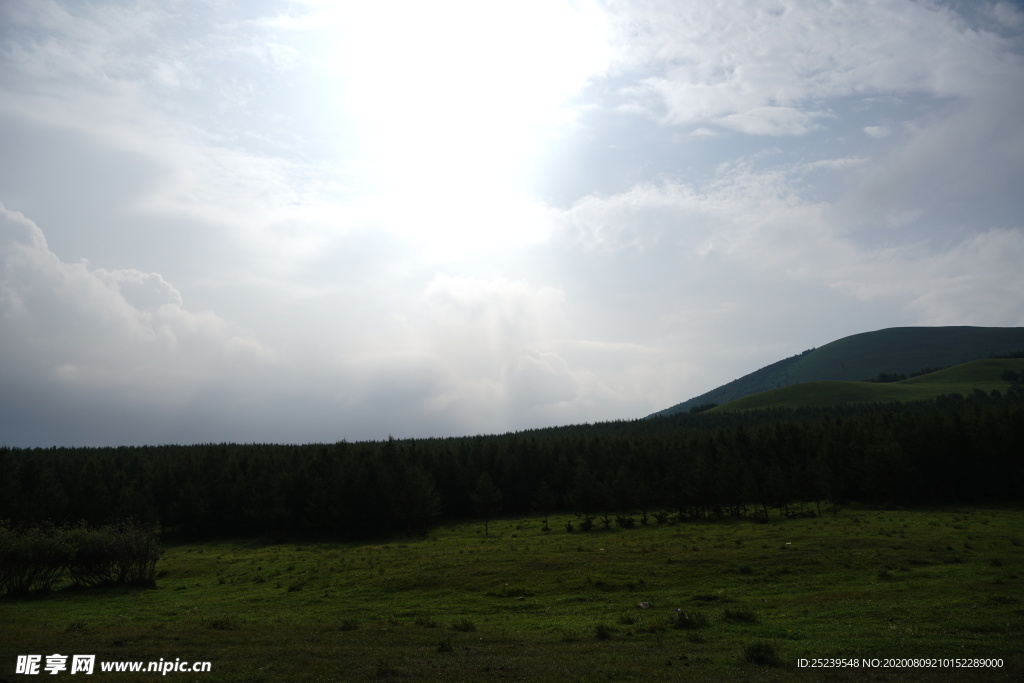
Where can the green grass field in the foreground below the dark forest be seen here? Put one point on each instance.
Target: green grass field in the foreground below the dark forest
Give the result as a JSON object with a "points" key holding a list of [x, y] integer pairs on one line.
{"points": [[524, 605]]}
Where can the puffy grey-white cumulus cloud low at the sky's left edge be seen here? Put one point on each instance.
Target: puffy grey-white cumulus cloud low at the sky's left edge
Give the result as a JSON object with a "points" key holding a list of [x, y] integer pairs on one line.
{"points": [[127, 332]]}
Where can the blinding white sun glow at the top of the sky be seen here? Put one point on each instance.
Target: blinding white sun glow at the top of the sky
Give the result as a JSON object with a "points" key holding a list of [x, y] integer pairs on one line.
{"points": [[453, 101]]}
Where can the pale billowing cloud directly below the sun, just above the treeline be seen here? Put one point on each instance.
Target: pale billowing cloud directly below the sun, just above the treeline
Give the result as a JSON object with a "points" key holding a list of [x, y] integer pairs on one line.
{"points": [[504, 355]]}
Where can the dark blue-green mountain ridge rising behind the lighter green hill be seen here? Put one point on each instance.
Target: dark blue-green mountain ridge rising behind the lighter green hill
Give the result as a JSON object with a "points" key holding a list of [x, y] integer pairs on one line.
{"points": [[866, 356]]}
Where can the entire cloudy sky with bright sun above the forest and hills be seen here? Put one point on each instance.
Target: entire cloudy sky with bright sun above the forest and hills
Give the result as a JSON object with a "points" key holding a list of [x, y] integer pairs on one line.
{"points": [[308, 222]]}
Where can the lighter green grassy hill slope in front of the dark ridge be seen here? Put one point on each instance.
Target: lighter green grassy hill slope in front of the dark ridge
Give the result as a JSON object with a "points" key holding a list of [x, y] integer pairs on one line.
{"points": [[964, 379]]}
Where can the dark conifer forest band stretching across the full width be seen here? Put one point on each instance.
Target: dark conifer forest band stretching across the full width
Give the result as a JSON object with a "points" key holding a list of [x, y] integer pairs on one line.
{"points": [[658, 471]]}
